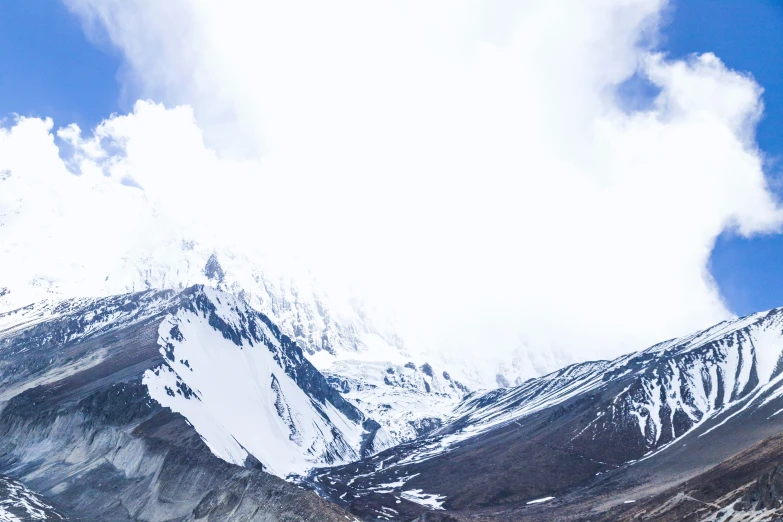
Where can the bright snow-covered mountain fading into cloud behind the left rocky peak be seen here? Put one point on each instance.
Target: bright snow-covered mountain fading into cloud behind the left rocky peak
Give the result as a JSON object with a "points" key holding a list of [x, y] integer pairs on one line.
{"points": [[118, 240]]}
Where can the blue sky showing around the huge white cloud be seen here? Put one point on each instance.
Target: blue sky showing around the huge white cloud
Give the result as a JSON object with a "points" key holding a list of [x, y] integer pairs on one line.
{"points": [[50, 69]]}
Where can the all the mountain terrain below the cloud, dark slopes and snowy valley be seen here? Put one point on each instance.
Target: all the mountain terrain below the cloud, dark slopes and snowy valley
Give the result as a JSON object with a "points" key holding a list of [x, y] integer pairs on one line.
{"points": [[193, 404]]}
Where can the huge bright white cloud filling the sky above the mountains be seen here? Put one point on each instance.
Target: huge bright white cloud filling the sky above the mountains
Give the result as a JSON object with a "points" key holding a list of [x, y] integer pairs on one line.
{"points": [[465, 165]]}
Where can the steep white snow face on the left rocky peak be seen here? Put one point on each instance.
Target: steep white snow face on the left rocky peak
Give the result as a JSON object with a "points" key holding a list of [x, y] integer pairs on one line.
{"points": [[248, 390]]}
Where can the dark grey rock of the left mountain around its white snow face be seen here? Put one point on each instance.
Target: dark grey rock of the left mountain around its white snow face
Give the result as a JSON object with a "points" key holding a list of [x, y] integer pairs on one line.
{"points": [[79, 428]]}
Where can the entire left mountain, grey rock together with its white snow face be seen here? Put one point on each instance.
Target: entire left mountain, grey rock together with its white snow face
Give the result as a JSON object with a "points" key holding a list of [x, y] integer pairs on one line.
{"points": [[107, 413]]}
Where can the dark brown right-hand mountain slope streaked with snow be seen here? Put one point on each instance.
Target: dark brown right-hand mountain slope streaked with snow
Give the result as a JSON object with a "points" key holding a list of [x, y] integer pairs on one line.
{"points": [[591, 435]]}
